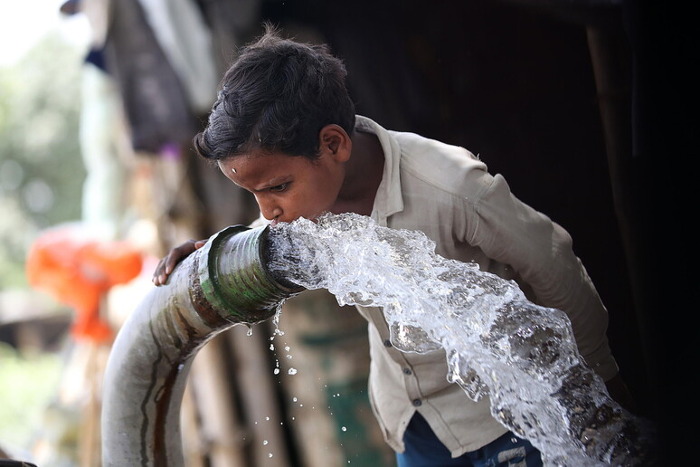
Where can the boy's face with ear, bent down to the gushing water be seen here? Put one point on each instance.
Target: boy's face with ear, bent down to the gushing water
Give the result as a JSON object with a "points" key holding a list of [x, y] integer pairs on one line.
{"points": [[287, 187]]}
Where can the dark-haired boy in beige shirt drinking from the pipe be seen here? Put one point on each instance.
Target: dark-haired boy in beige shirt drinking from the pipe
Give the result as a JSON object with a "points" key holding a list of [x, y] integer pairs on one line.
{"points": [[284, 128]]}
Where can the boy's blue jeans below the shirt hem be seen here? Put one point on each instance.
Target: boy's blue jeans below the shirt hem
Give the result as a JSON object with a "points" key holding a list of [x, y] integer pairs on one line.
{"points": [[423, 449]]}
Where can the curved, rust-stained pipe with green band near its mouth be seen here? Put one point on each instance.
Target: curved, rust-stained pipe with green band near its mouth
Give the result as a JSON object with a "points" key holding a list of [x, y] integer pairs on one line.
{"points": [[220, 285]]}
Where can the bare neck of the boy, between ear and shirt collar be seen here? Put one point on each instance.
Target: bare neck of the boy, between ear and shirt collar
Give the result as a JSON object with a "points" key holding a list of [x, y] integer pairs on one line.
{"points": [[363, 174]]}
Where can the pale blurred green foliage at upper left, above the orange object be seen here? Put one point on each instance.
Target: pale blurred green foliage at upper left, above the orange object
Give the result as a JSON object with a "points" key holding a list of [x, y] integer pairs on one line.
{"points": [[41, 169]]}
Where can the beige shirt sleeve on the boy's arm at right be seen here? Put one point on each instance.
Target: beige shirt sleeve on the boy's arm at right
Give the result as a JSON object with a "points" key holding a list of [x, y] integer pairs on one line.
{"points": [[541, 252]]}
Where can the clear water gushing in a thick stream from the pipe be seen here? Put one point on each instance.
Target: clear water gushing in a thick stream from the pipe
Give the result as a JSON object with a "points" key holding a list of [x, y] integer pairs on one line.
{"points": [[497, 343]]}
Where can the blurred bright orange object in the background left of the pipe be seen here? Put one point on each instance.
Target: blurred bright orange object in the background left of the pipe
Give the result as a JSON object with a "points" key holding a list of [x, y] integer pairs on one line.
{"points": [[78, 271]]}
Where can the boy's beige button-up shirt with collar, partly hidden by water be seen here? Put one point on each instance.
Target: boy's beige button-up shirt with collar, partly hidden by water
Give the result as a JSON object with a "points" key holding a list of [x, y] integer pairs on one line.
{"points": [[447, 193]]}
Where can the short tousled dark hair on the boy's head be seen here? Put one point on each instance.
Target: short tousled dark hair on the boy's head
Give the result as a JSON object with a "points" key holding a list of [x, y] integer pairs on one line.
{"points": [[277, 96]]}
